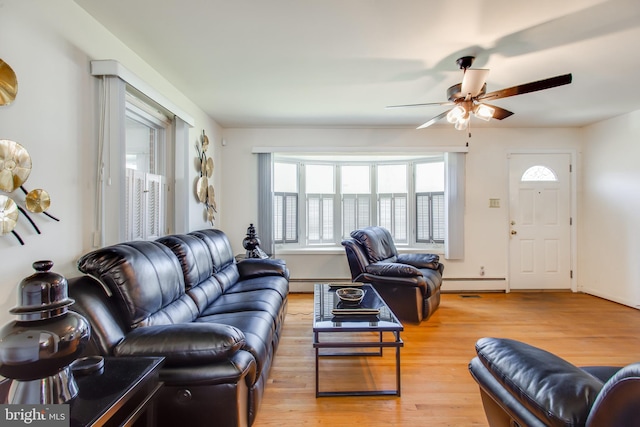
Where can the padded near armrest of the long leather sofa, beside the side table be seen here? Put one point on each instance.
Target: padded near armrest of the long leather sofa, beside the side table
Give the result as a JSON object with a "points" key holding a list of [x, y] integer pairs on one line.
{"points": [[184, 343]]}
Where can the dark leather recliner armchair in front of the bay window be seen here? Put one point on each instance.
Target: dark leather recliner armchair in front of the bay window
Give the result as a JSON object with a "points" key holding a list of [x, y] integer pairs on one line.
{"points": [[409, 283]]}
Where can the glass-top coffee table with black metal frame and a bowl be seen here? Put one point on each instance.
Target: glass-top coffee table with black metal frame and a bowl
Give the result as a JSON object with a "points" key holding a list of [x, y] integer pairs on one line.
{"points": [[356, 322]]}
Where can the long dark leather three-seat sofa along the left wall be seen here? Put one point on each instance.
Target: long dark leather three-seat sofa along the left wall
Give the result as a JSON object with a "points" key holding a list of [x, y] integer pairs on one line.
{"points": [[184, 297]]}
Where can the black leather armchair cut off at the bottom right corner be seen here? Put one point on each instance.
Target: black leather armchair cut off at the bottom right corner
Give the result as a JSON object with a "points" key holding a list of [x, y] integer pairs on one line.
{"points": [[522, 385]]}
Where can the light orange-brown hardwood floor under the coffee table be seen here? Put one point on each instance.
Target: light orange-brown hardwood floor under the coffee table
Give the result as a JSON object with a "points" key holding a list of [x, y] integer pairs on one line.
{"points": [[437, 389]]}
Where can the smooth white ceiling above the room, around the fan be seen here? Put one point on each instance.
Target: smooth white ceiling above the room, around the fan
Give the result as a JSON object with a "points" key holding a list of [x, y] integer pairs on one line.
{"points": [[340, 62]]}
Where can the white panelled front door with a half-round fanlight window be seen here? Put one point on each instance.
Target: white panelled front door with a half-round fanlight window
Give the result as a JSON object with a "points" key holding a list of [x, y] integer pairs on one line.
{"points": [[540, 221]]}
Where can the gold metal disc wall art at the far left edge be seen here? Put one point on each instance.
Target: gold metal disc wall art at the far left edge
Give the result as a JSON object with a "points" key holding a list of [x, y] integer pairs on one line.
{"points": [[15, 167]]}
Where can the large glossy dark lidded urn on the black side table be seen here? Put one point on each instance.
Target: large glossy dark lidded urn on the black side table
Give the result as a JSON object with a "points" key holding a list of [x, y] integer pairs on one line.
{"points": [[37, 349]]}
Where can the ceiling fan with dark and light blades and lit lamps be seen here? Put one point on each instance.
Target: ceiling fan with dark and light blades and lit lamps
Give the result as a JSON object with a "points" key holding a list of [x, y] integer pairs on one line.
{"points": [[468, 97]]}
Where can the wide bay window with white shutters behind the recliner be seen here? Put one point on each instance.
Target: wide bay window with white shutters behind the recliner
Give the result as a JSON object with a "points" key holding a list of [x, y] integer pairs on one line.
{"points": [[344, 193]]}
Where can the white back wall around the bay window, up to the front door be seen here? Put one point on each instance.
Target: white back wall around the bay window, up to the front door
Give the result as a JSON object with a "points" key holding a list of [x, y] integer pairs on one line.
{"points": [[486, 229]]}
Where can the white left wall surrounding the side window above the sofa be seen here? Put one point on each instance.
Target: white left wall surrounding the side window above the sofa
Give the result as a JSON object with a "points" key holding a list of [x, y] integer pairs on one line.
{"points": [[49, 44]]}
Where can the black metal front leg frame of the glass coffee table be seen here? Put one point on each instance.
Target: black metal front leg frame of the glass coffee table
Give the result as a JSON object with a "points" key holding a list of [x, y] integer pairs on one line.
{"points": [[380, 345]]}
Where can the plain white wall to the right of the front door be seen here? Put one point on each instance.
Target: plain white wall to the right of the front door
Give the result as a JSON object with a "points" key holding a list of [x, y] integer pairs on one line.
{"points": [[609, 235]]}
